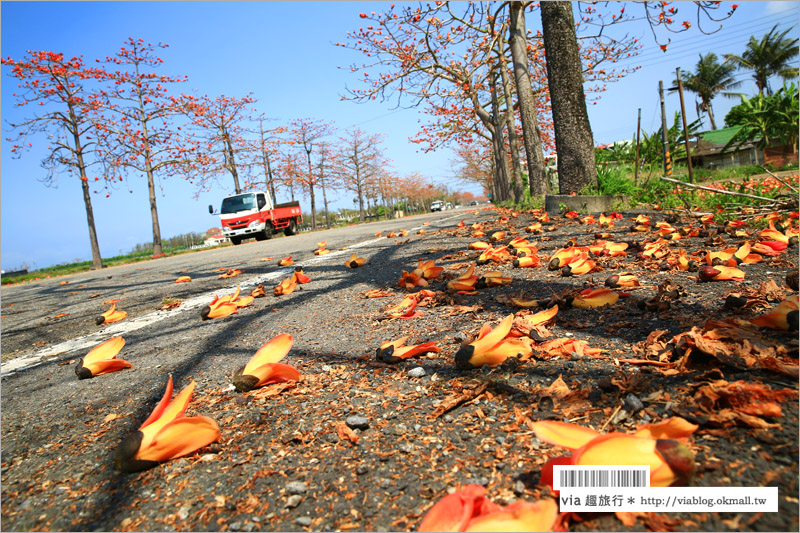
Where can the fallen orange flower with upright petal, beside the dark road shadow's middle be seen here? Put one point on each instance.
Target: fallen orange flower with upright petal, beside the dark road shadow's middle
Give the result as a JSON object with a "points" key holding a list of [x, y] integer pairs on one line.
{"points": [[265, 367]]}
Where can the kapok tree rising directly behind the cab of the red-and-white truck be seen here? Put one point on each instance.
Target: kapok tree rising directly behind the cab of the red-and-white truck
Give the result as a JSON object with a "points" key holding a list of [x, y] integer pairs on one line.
{"points": [[219, 123]]}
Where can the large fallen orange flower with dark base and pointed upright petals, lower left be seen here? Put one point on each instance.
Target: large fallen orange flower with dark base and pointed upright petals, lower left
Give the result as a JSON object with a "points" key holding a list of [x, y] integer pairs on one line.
{"points": [[166, 434]]}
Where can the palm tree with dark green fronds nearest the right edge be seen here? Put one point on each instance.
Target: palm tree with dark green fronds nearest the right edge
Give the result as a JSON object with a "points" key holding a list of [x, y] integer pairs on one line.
{"points": [[772, 55]]}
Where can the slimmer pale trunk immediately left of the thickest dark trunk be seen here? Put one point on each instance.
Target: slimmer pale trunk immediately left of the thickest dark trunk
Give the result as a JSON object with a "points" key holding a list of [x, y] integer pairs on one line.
{"points": [[537, 176]]}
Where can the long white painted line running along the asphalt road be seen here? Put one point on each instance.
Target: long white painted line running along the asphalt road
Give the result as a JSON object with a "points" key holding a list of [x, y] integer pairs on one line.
{"points": [[38, 357]]}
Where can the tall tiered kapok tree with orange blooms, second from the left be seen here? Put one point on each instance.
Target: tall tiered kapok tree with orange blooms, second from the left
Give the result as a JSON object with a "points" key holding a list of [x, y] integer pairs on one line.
{"points": [[138, 131]]}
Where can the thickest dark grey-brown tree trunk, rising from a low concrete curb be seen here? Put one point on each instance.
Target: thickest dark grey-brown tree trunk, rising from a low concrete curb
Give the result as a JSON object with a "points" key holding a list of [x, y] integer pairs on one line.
{"points": [[574, 143]]}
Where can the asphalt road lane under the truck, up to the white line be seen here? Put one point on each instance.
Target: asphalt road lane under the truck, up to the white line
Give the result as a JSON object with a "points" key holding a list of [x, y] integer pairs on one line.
{"points": [[51, 318]]}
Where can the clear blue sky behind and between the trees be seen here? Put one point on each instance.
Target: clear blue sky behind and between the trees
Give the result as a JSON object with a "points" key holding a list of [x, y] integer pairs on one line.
{"points": [[283, 52]]}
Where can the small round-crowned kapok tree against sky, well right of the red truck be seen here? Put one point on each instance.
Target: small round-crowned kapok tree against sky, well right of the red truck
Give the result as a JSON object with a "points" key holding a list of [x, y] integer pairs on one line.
{"points": [[360, 158]]}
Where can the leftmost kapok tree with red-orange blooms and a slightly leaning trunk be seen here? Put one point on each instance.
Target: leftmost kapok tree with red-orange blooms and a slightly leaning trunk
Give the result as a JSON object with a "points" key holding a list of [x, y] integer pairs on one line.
{"points": [[56, 86]]}
